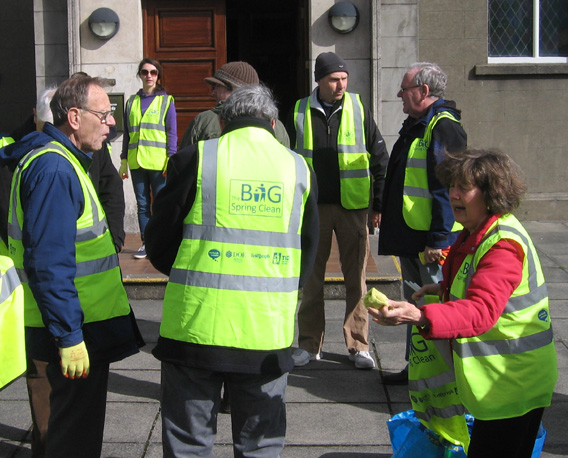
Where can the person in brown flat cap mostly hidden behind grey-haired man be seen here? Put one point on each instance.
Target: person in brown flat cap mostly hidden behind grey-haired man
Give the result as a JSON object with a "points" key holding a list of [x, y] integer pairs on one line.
{"points": [[225, 80]]}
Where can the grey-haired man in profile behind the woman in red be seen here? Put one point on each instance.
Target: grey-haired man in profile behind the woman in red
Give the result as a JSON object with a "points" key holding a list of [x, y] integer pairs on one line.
{"points": [[417, 217]]}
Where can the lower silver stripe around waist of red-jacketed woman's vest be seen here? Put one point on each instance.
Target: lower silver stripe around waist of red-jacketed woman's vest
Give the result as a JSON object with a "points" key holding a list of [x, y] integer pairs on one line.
{"points": [[503, 347]]}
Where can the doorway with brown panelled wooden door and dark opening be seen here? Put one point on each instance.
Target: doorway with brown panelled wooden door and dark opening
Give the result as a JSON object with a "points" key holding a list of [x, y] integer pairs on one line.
{"points": [[191, 39]]}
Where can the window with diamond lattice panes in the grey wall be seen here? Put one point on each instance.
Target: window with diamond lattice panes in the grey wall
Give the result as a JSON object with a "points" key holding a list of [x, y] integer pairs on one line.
{"points": [[528, 31]]}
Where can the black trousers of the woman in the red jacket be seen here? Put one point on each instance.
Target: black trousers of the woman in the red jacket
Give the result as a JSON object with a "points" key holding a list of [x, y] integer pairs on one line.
{"points": [[507, 438]]}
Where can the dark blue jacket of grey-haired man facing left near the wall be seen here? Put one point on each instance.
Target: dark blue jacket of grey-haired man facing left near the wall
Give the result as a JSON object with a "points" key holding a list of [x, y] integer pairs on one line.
{"points": [[395, 237]]}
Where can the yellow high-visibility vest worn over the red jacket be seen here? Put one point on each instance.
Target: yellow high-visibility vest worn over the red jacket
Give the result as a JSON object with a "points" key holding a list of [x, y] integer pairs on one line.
{"points": [[511, 369]]}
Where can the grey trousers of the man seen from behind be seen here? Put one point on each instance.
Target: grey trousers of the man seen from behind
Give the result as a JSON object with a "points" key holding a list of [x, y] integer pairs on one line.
{"points": [[190, 400]]}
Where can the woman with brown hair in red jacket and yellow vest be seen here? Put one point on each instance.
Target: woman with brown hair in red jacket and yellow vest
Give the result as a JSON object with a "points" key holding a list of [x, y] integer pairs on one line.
{"points": [[493, 310]]}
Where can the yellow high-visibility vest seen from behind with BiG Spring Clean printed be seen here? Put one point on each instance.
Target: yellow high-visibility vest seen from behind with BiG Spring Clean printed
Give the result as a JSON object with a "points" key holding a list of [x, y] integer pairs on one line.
{"points": [[234, 282]]}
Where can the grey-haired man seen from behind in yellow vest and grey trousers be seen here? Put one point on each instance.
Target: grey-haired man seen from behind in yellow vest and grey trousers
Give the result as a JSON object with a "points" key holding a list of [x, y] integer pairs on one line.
{"points": [[235, 228]]}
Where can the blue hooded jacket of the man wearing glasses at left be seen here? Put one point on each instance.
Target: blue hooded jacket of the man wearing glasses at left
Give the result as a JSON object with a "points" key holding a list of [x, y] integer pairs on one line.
{"points": [[49, 254]]}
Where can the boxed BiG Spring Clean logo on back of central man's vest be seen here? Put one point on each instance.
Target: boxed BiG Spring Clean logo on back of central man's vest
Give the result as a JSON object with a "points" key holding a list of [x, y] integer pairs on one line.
{"points": [[256, 198]]}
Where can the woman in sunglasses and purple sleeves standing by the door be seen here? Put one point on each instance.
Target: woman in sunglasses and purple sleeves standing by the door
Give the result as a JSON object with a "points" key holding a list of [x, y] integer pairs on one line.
{"points": [[150, 138]]}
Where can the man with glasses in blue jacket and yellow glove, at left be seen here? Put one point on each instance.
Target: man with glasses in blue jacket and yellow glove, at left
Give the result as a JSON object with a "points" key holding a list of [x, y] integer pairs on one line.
{"points": [[77, 316]]}
